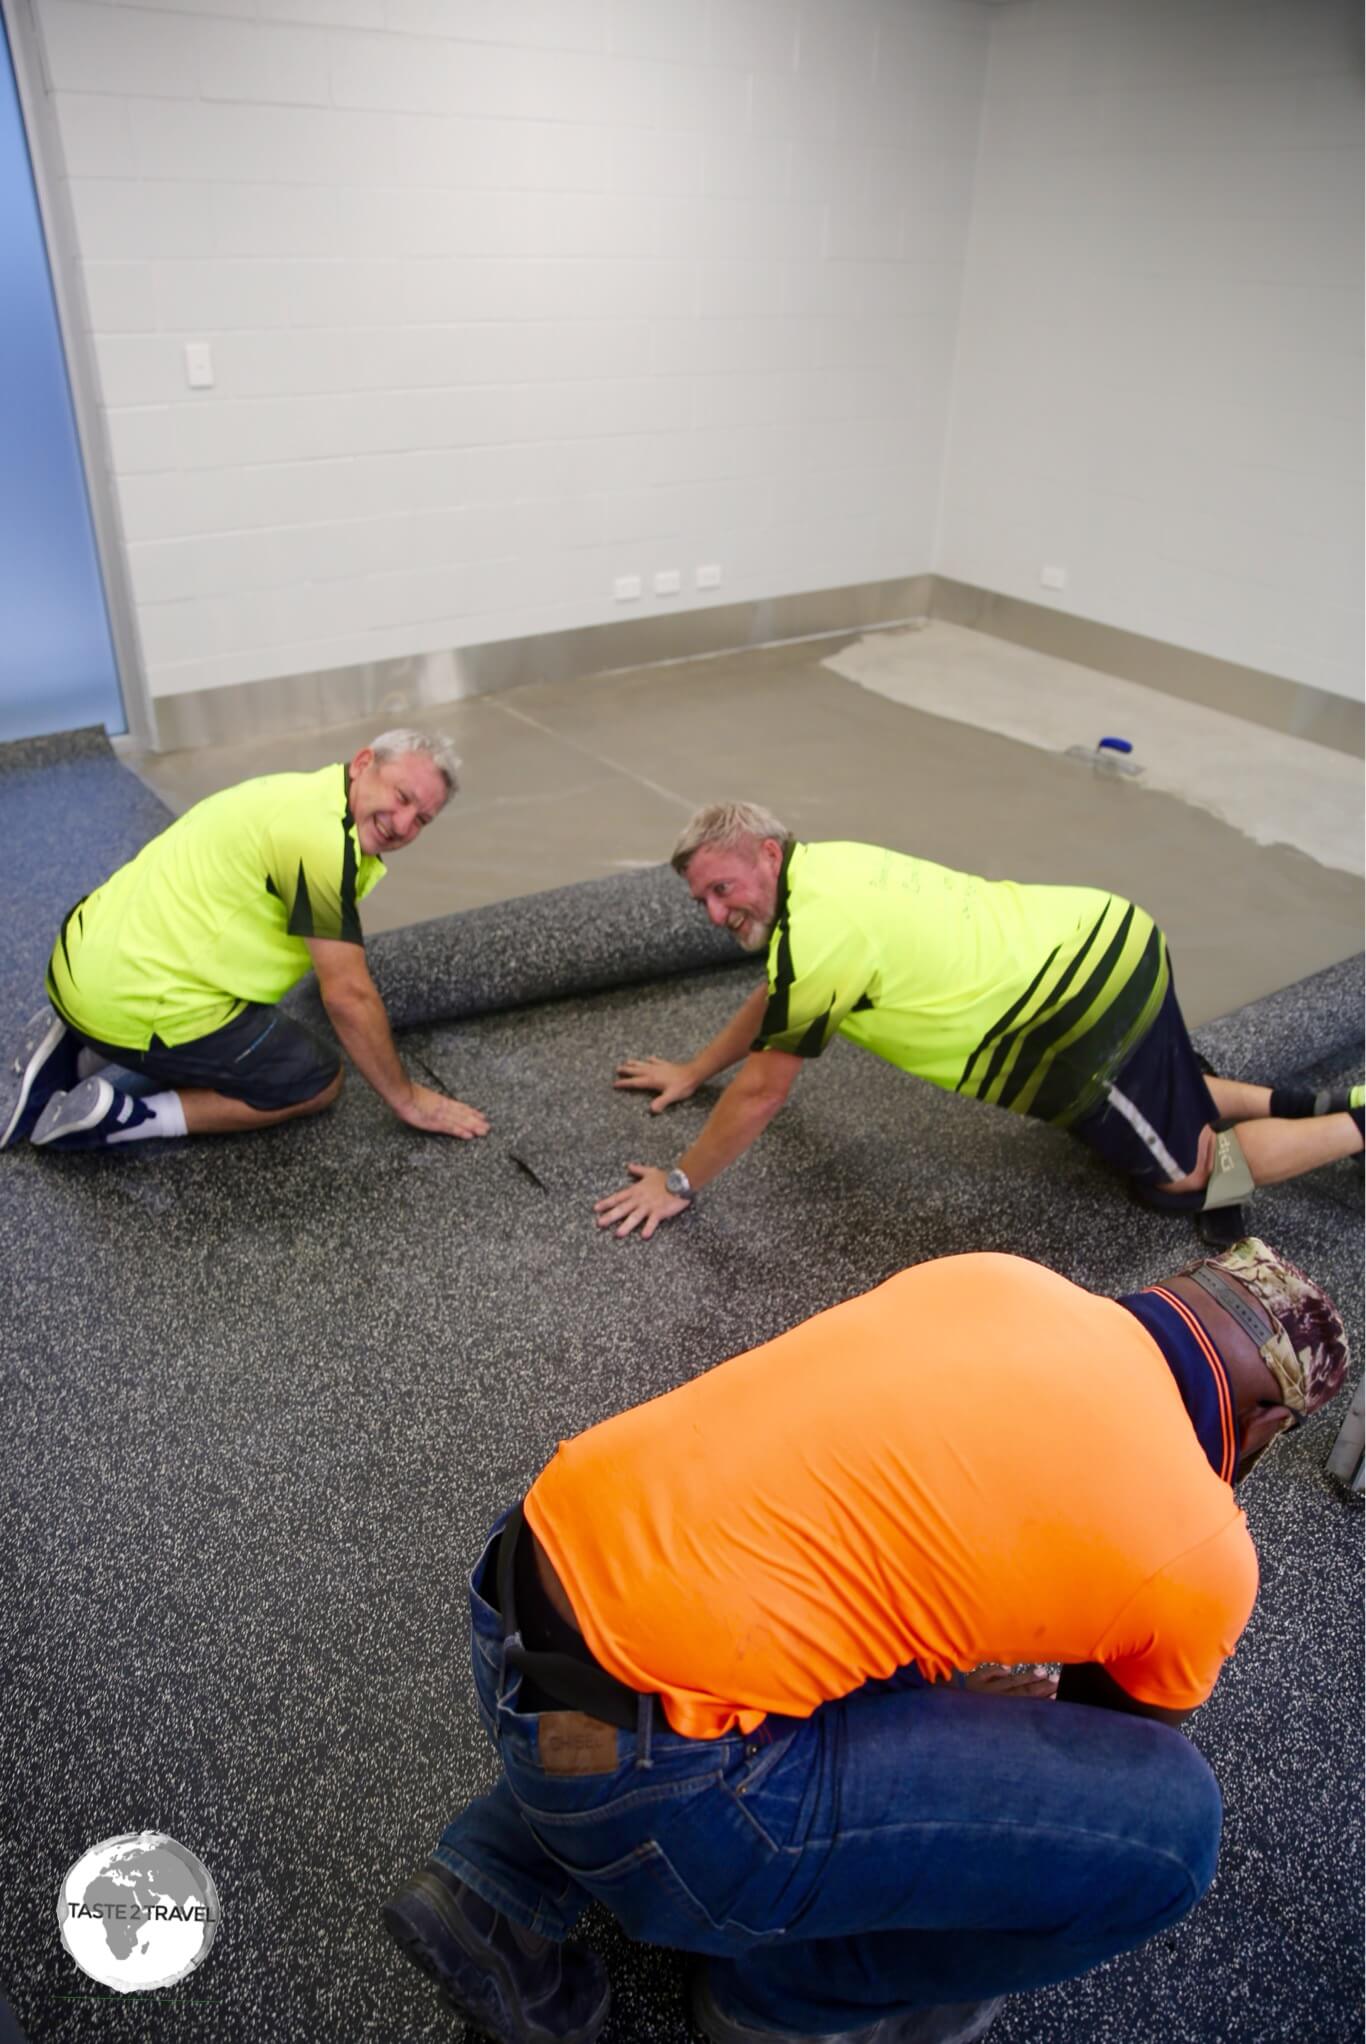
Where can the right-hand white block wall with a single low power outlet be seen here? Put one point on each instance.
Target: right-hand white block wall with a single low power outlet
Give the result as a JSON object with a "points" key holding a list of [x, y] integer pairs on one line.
{"points": [[1160, 361]]}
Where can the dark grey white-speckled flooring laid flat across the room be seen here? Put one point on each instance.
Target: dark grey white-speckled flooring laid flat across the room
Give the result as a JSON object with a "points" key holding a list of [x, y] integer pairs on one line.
{"points": [[261, 1399]]}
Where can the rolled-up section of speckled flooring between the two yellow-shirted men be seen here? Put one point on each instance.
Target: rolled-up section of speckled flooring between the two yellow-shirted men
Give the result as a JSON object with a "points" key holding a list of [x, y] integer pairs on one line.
{"points": [[614, 933]]}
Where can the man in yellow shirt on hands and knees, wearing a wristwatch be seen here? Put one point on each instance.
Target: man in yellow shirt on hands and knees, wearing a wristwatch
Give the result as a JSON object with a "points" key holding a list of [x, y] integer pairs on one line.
{"points": [[1050, 1001]]}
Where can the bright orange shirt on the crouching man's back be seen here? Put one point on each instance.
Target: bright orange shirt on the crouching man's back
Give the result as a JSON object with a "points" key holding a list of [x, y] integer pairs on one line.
{"points": [[978, 1460]]}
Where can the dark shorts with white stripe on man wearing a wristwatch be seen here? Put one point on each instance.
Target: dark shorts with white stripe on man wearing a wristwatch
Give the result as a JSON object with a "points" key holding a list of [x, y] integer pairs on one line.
{"points": [[1158, 1105]]}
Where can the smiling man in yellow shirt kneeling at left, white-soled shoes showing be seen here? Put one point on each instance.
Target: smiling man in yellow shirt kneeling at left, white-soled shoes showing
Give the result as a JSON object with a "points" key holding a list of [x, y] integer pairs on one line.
{"points": [[173, 968]]}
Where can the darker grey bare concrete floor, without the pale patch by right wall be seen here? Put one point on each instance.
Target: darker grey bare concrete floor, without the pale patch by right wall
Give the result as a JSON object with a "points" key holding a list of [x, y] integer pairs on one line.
{"points": [[567, 782]]}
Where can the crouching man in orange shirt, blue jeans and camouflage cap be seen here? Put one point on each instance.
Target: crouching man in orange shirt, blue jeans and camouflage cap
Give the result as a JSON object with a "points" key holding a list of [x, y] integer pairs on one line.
{"points": [[717, 1651]]}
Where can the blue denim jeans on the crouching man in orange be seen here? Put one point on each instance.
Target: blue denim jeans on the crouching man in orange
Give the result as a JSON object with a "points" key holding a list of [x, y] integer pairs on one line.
{"points": [[899, 1849]]}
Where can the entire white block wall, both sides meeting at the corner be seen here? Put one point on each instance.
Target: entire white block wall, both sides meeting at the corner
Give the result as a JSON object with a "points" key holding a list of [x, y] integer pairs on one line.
{"points": [[512, 299]]}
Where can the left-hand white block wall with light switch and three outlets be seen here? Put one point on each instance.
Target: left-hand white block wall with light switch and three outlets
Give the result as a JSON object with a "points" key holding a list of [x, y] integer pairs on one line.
{"points": [[510, 299]]}
